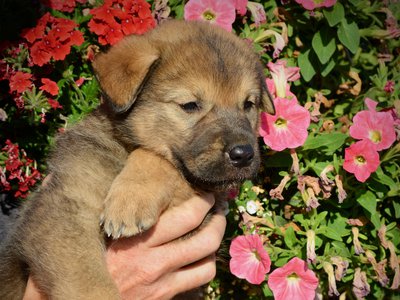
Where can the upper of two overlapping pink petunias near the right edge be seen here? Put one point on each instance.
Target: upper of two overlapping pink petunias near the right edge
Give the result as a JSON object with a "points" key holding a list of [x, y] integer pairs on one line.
{"points": [[378, 127]]}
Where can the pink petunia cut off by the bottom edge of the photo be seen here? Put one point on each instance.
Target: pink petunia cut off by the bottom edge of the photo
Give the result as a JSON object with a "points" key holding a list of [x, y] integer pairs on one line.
{"points": [[293, 281]]}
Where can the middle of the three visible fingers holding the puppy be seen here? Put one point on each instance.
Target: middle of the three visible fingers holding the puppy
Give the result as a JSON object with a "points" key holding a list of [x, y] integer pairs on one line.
{"points": [[201, 244]]}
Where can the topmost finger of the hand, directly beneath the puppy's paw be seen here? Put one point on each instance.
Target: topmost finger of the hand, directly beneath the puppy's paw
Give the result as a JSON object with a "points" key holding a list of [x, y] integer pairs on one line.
{"points": [[178, 221]]}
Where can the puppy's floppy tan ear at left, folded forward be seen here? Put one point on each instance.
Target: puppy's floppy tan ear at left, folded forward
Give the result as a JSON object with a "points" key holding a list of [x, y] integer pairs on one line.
{"points": [[124, 69]]}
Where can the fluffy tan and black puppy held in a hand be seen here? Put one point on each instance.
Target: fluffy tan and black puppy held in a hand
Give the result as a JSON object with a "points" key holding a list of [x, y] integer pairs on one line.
{"points": [[180, 114]]}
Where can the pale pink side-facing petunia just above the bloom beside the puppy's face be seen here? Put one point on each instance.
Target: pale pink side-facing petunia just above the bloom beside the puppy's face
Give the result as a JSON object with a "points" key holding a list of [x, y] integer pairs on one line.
{"points": [[281, 75]]}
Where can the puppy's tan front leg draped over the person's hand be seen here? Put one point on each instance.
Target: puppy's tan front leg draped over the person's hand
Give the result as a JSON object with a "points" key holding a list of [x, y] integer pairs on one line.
{"points": [[138, 195]]}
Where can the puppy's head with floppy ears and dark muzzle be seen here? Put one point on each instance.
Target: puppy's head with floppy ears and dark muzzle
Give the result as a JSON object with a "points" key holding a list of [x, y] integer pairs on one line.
{"points": [[196, 92]]}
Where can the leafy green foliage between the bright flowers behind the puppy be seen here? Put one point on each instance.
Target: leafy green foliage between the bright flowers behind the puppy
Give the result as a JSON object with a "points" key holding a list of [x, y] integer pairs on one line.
{"points": [[346, 53]]}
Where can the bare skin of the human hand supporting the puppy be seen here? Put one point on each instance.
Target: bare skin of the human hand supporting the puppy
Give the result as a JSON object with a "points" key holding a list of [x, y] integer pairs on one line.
{"points": [[159, 265]]}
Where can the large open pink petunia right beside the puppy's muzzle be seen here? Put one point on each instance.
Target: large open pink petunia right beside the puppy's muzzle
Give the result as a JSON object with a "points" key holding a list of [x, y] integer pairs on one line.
{"points": [[288, 127]]}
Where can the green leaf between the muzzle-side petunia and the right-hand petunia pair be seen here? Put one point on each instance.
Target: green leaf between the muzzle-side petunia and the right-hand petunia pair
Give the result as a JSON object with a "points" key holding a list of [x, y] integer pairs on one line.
{"points": [[328, 141]]}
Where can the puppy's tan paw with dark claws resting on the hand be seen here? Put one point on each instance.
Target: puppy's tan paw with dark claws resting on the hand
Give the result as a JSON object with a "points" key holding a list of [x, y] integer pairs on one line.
{"points": [[127, 211]]}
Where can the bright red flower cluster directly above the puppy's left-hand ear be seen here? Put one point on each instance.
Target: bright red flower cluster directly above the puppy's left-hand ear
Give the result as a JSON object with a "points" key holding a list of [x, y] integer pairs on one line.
{"points": [[116, 18]]}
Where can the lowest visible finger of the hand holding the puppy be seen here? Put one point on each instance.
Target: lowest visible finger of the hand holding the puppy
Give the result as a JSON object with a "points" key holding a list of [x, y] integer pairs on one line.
{"points": [[191, 277]]}
